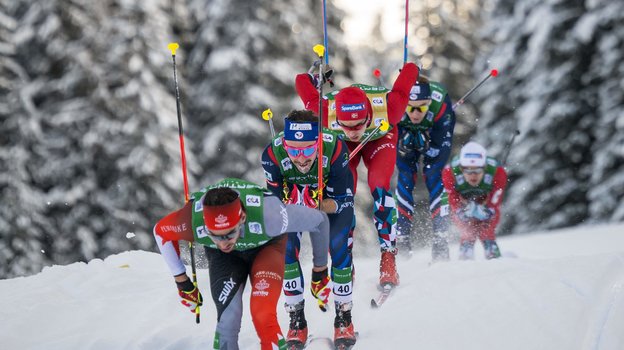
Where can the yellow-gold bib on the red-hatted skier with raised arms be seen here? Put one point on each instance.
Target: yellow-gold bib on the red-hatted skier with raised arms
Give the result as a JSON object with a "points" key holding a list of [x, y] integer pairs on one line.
{"points": [[377, 98]]}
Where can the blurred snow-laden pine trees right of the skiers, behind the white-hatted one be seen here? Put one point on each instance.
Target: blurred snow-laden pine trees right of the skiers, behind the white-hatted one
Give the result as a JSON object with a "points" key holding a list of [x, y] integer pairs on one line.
{"points": [[561, 86]]}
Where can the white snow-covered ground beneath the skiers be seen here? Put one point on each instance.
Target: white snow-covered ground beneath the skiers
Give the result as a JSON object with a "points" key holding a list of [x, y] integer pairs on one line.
{"points": [[554, 290]]}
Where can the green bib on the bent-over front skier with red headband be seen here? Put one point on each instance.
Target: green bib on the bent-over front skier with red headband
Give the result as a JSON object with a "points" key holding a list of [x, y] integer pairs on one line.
{"points": [[252, 197]]}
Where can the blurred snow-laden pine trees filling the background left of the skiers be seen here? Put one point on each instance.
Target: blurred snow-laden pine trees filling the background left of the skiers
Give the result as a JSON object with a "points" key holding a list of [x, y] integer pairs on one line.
{"points": [[89, 147]]}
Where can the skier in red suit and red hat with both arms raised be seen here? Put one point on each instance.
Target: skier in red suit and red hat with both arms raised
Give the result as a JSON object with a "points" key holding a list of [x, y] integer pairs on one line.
{"points": [[354, 112]]}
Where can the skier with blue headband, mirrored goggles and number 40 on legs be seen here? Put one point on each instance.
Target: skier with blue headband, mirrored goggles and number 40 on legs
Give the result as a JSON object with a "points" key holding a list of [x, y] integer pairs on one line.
{"points": [[291, 170]]}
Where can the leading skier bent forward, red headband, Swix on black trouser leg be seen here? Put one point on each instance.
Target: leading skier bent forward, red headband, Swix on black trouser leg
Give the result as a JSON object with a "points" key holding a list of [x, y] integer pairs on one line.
{"points": [[241, 226]]}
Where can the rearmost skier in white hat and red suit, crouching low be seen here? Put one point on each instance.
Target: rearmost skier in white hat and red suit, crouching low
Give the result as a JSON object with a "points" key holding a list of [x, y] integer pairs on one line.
{"points": [[475, 184]]}
